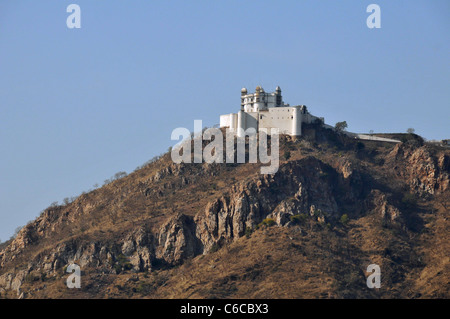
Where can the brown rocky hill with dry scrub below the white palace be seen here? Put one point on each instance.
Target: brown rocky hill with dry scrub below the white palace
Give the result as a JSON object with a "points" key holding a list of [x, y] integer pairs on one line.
{"points": [[310, 230]]}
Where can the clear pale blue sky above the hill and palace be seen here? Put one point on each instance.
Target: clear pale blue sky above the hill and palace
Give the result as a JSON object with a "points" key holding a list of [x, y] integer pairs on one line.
{"points": [[79, 105]]}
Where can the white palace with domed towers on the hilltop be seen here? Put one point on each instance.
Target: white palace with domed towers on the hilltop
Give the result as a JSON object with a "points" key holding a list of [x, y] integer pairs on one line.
{"points": [[267, 110]]}
